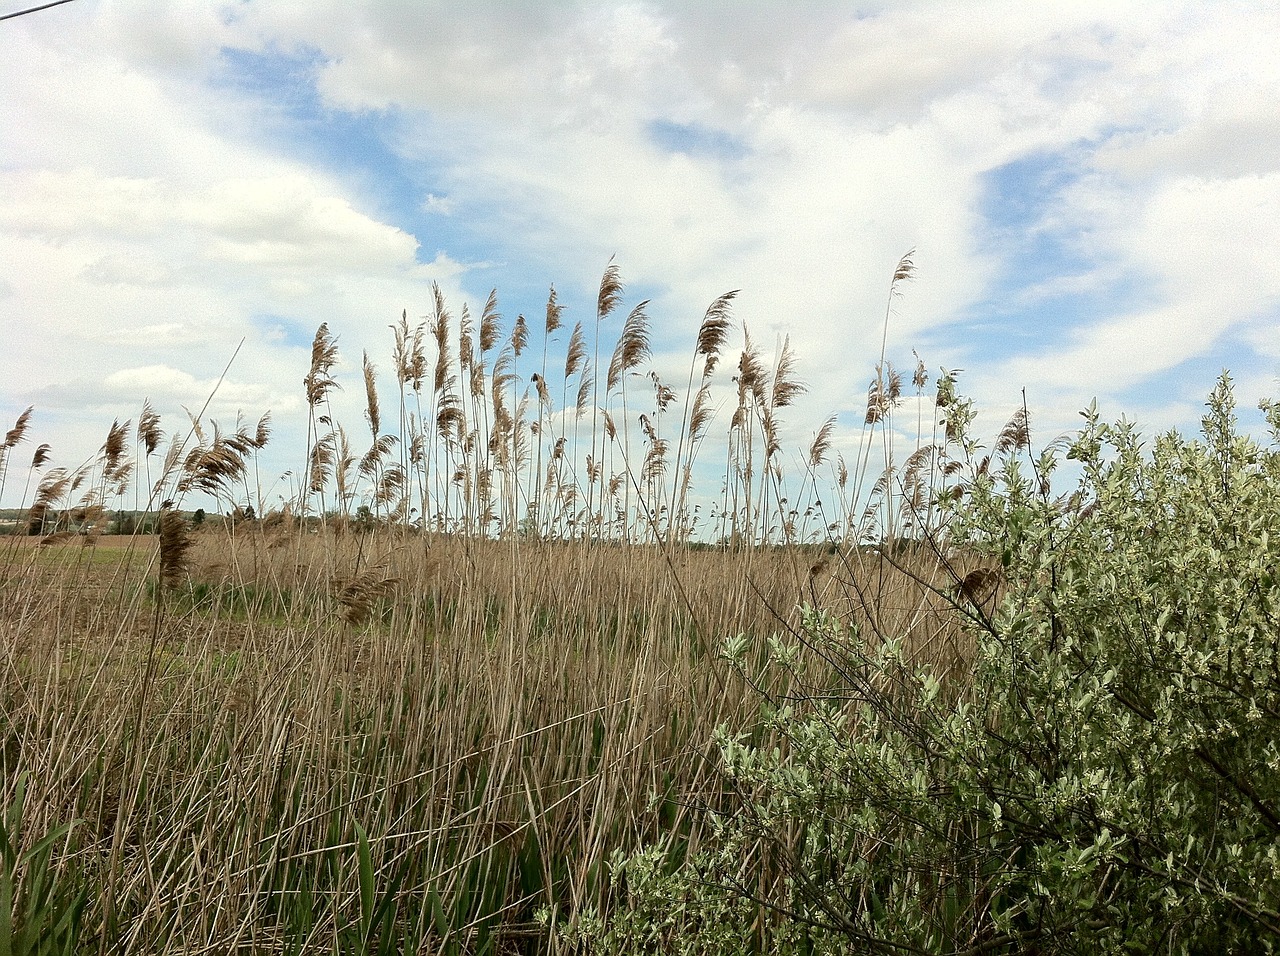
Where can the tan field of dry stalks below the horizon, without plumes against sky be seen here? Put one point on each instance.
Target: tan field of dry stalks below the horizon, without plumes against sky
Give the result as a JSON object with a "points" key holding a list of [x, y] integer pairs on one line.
{"points": [[319, 738]]}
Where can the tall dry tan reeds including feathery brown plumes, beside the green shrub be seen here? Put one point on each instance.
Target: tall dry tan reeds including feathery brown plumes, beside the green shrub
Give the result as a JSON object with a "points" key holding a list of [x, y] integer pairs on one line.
{"points": [[413, 725]]}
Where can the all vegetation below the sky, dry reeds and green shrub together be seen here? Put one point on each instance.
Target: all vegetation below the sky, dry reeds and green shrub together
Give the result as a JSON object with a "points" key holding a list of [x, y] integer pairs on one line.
{"points": [[501, 685]]}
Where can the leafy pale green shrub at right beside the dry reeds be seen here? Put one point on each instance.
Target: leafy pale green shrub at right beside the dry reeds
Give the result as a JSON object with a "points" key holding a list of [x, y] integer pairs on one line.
{"points": [[1105, 779]]}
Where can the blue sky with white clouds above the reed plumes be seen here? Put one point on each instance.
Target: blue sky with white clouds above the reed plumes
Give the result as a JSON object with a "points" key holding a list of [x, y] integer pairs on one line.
{"points": [[1091, 190]]}
